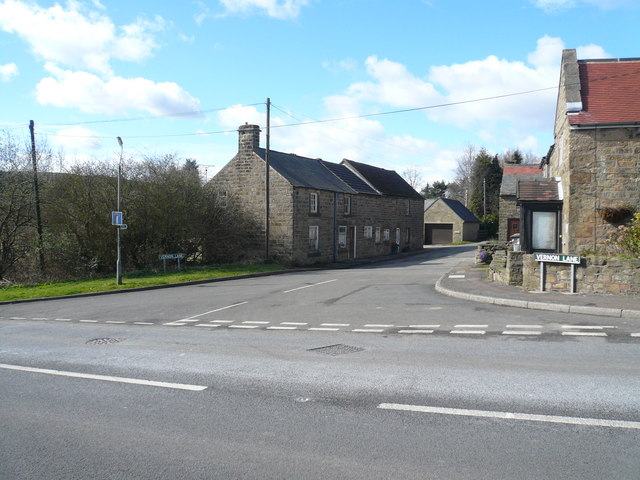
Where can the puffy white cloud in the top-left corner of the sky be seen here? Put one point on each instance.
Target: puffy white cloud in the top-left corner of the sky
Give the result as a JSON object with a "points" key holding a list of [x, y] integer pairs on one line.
{"points": [[78, 37]]}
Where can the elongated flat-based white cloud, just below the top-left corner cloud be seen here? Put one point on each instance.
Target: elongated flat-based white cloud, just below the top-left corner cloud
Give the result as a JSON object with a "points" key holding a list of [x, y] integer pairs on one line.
{"points": [[91, 94]]}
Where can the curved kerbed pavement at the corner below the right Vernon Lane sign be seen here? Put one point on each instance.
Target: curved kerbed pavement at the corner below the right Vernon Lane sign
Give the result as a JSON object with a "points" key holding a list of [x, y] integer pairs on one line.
{"points": [[469, 282]]}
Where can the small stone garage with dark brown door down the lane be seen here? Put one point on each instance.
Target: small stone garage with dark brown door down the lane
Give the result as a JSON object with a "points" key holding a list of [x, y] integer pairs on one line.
{"points": [[447, 221]]}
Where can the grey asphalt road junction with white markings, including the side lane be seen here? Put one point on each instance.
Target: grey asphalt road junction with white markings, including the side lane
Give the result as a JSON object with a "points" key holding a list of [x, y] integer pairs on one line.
{"points": [[79, 398]]}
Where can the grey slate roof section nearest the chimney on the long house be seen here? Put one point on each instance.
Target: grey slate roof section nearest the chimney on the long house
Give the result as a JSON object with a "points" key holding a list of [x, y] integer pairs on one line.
{"points": [[305, 172]]}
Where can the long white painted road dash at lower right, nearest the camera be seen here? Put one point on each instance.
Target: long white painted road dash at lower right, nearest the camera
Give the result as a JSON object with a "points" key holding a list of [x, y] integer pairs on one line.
{"points": [[591, 422]]}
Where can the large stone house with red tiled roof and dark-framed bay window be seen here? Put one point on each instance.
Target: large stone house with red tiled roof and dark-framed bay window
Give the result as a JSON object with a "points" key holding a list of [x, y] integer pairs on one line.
{"points": [[592, 172]]}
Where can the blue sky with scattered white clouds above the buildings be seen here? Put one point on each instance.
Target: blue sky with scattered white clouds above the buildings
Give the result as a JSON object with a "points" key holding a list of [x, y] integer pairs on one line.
{"points": [[399, 85]]}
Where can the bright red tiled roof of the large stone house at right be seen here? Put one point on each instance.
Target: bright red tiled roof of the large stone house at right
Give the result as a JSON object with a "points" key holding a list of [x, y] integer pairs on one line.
{"points": [[610, 92]]}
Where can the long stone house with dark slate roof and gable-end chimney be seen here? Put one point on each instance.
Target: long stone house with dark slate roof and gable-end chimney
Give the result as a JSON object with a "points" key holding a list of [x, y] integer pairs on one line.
{"points": [[320, 211]]}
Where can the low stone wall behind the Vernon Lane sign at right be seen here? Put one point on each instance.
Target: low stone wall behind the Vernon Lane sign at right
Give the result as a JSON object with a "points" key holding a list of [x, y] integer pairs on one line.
{"points": [[594, 275]]}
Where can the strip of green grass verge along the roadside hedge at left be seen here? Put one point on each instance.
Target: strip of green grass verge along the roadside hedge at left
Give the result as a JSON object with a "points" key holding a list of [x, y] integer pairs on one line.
{"points": [[141, 279]]}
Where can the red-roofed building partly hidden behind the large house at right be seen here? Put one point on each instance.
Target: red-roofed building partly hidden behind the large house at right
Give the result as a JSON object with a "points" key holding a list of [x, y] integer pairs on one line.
{"points": [[509, 222]]}
